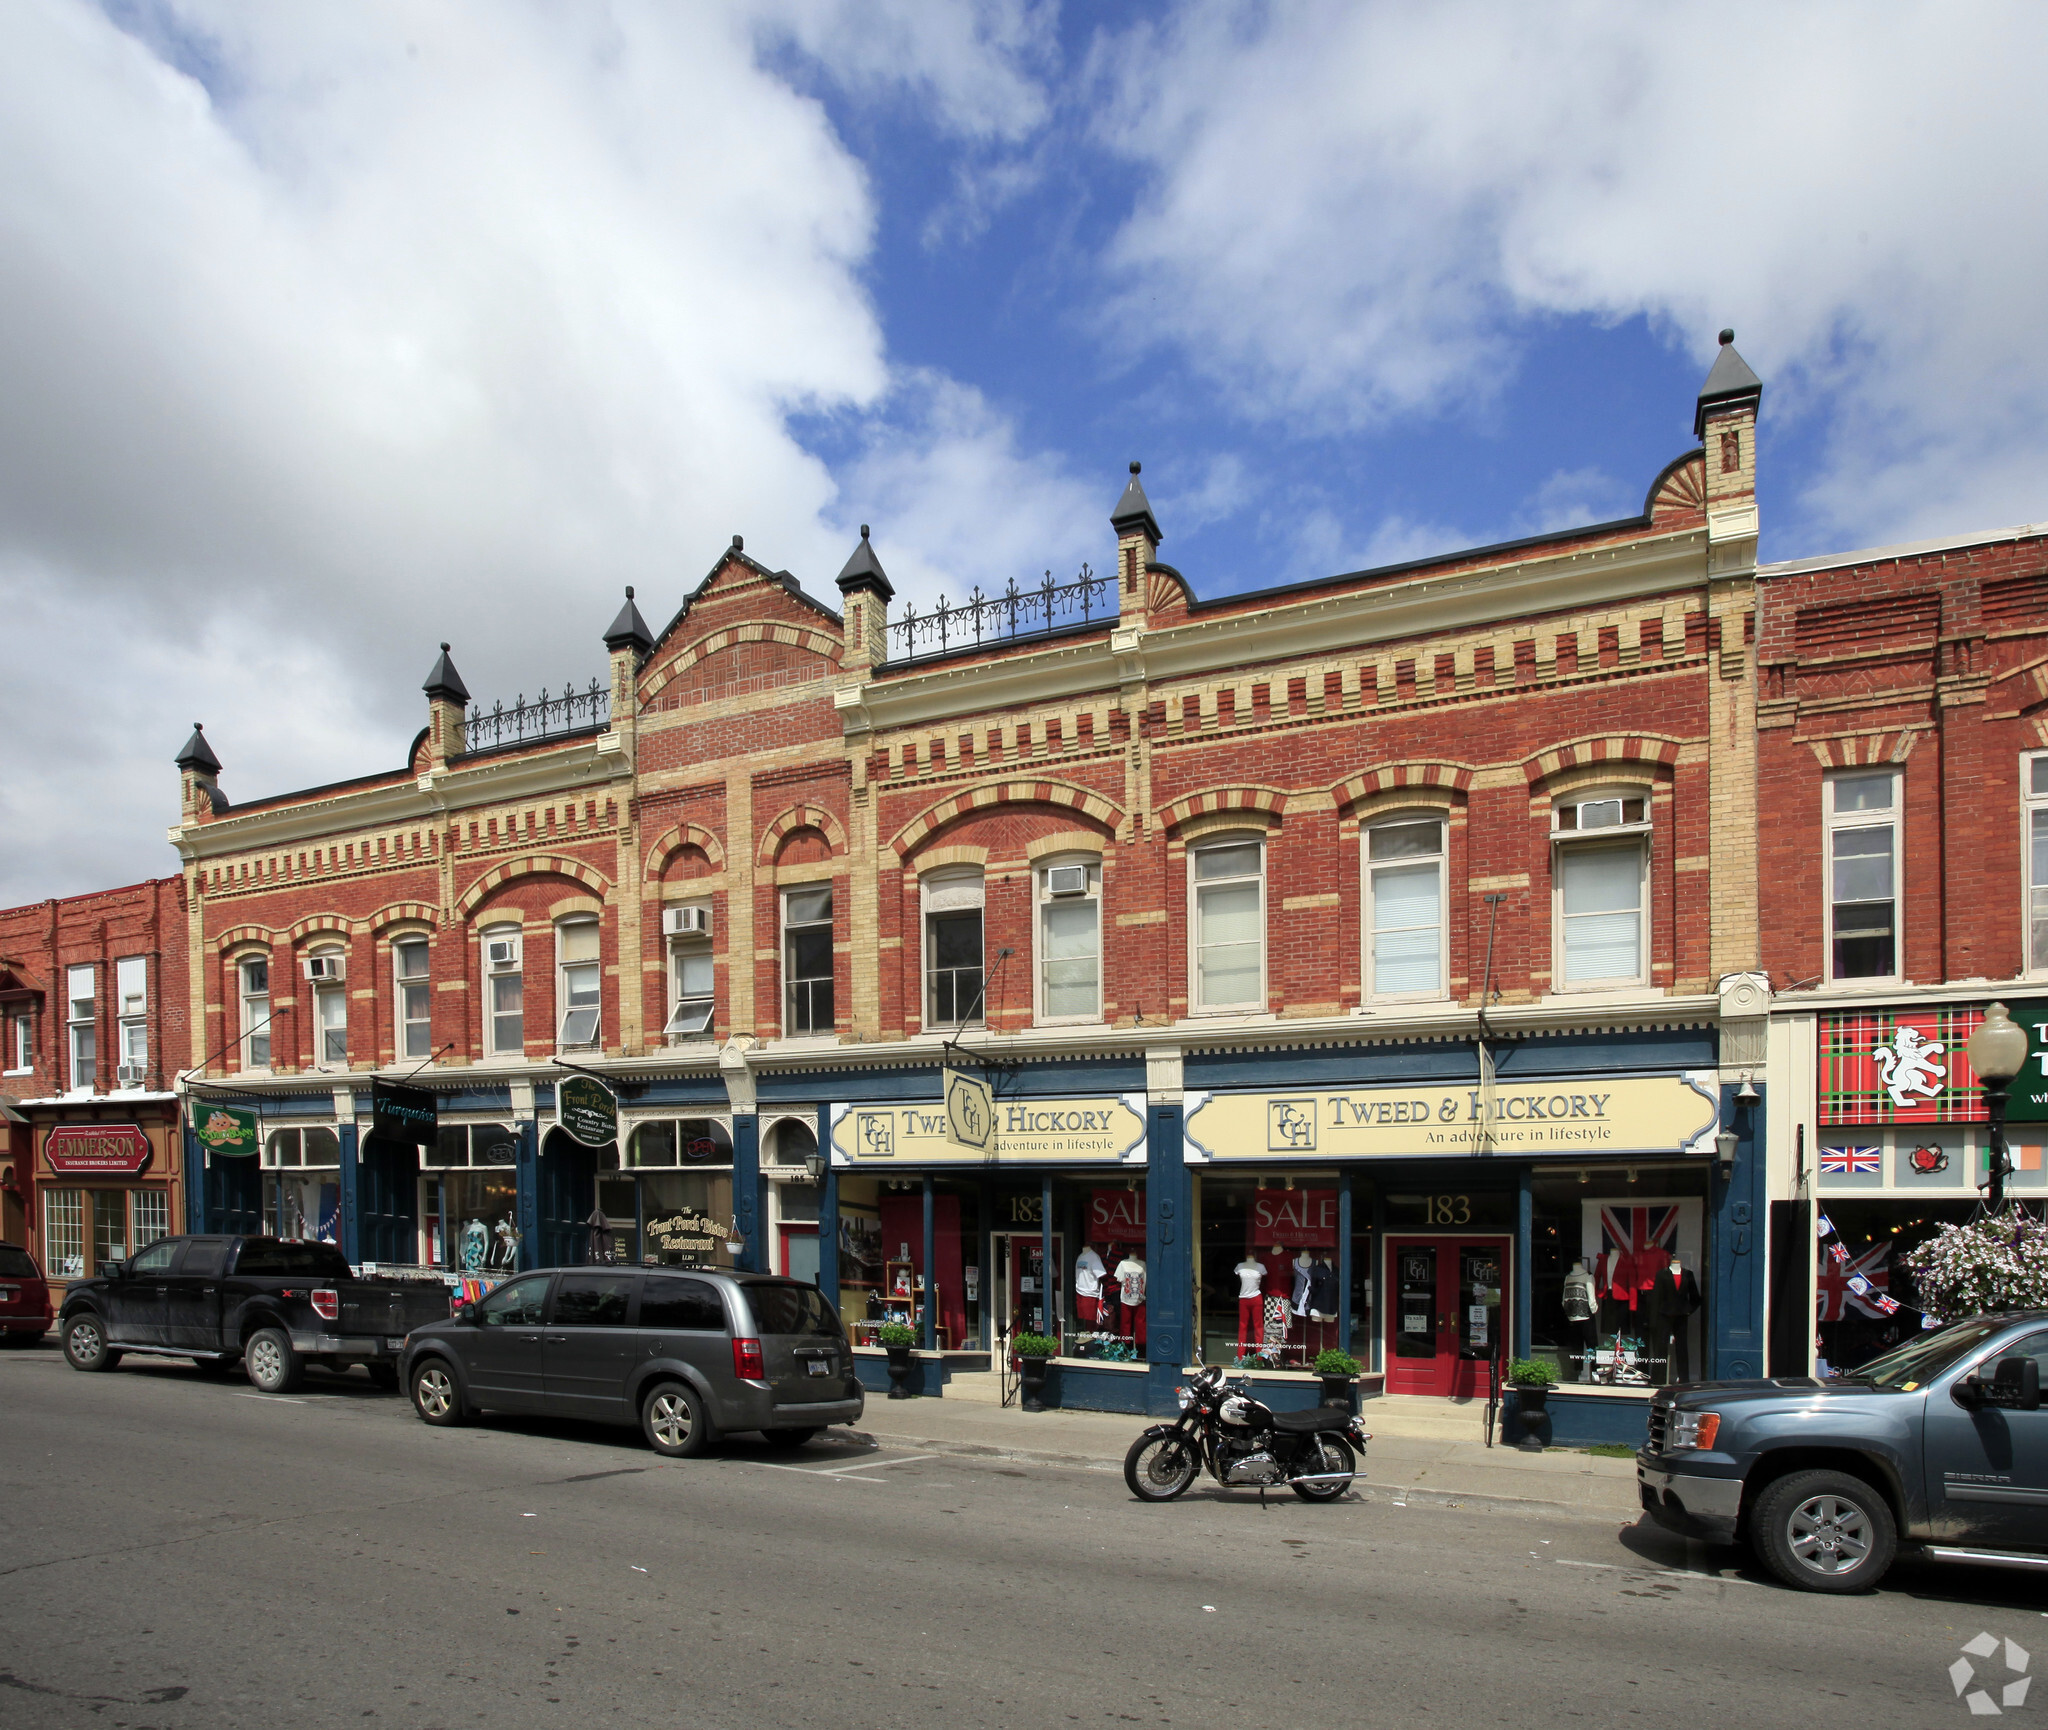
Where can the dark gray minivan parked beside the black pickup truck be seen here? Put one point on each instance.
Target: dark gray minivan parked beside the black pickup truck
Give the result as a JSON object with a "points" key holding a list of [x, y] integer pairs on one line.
{"points": [[685, 1354]]}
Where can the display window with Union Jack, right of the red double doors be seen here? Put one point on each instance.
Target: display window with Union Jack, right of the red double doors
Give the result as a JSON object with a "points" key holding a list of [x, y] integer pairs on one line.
{"points": [[1607, 1305]]}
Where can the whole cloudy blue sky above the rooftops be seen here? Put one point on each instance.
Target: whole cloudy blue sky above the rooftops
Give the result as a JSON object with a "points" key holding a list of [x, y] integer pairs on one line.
{"points": [[335, 331]]}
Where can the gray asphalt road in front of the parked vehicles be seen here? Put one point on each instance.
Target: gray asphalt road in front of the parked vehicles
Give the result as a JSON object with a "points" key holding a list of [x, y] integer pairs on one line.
{"points": [[185, 1553]]}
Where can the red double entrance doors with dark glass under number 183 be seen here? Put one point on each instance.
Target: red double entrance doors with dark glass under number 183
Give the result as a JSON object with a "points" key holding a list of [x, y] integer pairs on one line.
{"points": [[1445, 1315]]}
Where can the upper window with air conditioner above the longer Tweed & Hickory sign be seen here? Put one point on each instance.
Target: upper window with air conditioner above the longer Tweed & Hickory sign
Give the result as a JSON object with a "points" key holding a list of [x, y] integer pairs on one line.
{"points": [[1601, 851]]}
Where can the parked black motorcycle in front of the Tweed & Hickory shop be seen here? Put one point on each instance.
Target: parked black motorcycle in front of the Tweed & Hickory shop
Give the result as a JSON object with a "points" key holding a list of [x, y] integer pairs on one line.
{"points": [[1246, 1444]]}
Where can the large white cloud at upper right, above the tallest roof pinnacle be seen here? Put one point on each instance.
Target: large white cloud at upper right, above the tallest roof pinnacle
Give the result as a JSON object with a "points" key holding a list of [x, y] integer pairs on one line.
{"points": [[1357, 214]]}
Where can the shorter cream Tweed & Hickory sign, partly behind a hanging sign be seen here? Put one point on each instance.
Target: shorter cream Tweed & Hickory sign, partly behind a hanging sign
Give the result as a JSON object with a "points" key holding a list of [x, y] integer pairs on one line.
{"points": [[1023, 1133]]}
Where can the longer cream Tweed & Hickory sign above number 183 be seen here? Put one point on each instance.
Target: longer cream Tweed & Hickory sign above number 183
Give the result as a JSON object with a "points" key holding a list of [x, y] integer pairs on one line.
{"points": [[1428, 1121]]}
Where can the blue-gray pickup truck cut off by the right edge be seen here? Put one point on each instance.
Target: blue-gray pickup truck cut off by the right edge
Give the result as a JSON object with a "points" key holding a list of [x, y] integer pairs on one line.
{"points": [[1938, 1446]]}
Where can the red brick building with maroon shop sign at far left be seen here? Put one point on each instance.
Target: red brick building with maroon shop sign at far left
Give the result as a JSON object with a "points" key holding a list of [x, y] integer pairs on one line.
{"points": [[95, 1027]]}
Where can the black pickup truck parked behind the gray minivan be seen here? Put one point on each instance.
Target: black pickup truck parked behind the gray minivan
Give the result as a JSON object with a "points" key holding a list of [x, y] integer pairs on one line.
{"points": [[273, 1305]]}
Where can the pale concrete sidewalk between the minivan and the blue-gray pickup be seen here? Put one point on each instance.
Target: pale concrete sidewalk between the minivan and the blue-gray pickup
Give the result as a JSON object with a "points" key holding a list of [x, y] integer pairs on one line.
{"points": [[1398, 1467]]}
